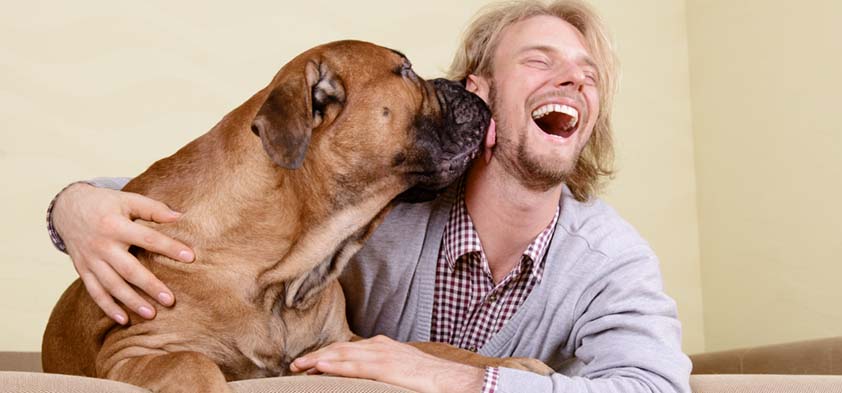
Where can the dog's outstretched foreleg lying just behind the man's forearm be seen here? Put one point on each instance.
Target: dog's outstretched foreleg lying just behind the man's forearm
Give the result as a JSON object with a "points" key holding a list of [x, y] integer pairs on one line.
{"points": [[449, 352]]}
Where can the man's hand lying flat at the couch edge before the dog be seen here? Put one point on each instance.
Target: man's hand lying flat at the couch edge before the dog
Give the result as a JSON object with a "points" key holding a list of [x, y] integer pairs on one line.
{"points": [[385, 360]]}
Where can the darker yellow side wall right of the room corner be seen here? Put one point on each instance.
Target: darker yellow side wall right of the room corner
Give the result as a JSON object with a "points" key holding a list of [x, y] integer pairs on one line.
{"points": [[766, 79]]}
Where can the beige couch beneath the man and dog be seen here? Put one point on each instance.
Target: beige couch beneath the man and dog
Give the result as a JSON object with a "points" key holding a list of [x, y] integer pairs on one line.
{"points": [[805, 366]]}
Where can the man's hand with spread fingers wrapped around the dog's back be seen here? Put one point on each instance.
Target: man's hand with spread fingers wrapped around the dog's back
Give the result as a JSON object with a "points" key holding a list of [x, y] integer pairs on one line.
{"points": [[97, 228]]}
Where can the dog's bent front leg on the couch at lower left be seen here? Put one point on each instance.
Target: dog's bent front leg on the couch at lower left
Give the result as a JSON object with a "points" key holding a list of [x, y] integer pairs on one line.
{"points": [[177, 372]]}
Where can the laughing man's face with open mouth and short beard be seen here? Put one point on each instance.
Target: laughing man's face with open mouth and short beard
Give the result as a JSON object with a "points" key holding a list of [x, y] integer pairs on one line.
{"points": [[543, 94]]}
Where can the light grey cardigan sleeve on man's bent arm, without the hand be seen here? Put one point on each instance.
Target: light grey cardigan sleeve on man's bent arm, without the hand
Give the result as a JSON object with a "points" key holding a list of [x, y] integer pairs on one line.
{"points": [[626, 338]]}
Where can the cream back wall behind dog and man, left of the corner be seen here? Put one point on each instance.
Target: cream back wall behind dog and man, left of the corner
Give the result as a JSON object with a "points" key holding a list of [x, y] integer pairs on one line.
{"points": [[103, 88]]}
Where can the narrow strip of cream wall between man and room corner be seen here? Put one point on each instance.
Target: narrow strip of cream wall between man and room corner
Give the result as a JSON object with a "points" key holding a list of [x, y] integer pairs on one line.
{"points": [[655, 187]]}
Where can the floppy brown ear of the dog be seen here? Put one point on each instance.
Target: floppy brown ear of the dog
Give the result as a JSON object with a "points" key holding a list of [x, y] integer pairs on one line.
{"points": [[300, 101]]}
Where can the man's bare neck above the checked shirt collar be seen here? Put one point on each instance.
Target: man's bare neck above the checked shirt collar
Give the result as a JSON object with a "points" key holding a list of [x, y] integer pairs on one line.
{"points": [[507, 216]]}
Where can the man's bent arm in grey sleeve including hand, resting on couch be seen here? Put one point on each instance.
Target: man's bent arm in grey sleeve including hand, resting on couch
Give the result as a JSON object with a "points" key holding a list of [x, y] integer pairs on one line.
{"points": [[626, 337]]}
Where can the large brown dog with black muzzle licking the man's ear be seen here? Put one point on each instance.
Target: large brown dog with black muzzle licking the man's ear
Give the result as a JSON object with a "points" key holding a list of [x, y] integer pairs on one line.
{"points": [[276, 199]]}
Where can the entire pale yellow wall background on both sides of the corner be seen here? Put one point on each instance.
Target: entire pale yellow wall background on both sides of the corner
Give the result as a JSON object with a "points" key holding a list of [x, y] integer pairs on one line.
{"points": [[726, 122]]}
